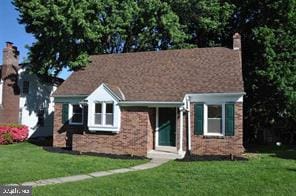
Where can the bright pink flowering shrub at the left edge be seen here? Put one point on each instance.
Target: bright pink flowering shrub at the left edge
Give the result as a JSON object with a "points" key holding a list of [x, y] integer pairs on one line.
{"points": [[10, 133]]}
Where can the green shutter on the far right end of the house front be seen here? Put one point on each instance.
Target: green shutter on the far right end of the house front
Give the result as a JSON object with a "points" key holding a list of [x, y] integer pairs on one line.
{"points": [[229, 119]]}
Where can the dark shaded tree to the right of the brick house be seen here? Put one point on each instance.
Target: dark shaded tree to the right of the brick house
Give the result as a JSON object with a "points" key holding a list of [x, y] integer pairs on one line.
{"points": [[268, 29]]}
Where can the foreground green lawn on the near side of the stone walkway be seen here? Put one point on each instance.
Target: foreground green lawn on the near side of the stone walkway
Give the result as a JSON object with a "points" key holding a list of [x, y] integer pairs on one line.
{"points": [[267, 173]]}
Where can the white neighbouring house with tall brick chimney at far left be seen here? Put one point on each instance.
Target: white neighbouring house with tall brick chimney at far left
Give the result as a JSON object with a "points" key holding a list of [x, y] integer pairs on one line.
{"points": [[25, 99]]}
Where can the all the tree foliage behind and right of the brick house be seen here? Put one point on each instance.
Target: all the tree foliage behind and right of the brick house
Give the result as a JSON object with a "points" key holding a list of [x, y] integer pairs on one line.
{"points": [[68, 31]]}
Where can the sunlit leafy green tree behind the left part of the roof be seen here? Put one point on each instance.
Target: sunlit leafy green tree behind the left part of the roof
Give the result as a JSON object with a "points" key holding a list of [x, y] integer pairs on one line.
{"points": [[68, 31]]}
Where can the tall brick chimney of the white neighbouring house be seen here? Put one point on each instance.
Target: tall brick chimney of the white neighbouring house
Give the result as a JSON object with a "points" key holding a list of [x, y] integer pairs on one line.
{"points": [[9, 111]]}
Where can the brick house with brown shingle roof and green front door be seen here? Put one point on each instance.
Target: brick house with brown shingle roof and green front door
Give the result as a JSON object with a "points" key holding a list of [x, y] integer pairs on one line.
{"points": [[138, 103]]}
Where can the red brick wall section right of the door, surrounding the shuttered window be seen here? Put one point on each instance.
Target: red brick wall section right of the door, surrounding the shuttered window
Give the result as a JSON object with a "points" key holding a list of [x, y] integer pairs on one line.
{"points": [[212, 146]]}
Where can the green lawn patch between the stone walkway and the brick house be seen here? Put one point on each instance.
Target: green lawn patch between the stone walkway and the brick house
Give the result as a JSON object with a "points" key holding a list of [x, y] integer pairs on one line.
{"points": [[26, 162]]}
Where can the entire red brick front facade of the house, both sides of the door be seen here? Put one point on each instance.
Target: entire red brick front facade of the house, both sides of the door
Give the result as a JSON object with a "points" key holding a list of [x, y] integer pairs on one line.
{"points": [[136, 135]]}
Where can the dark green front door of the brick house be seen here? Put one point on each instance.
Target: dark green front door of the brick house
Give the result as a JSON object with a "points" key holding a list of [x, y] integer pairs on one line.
{"points": [[167, 126]]}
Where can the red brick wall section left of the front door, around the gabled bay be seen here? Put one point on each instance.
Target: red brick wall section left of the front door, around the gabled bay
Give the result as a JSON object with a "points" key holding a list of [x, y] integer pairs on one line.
{"points": [[135, 136]]}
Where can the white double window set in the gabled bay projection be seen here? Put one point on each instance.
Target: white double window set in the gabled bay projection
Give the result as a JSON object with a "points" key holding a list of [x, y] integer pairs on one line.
{"points": [[104, 113]]}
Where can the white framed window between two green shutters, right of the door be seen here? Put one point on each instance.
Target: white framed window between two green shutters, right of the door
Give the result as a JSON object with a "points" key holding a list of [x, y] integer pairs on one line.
{"points": [[214, 119]]}
